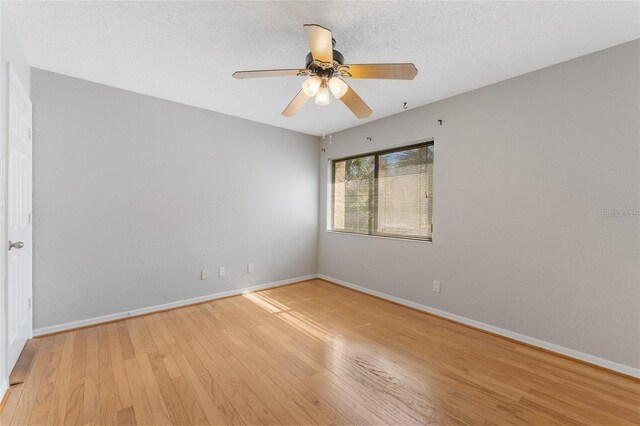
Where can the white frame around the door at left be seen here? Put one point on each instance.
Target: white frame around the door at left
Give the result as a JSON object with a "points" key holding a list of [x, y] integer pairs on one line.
{"points": [[14, 80]]}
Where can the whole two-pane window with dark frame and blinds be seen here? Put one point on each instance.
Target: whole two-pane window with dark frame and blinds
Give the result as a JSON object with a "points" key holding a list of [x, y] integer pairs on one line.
{"points": [[385, 193]]}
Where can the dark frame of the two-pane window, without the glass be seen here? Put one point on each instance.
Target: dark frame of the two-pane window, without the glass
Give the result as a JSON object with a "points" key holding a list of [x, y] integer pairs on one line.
{"points": [[376, 155]]}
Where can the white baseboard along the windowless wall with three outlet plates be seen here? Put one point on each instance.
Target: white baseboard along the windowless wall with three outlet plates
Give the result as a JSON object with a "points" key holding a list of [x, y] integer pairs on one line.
{"points": [[111, 317]]}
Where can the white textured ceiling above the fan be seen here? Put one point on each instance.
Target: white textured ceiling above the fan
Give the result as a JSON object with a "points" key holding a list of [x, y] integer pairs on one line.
{"points": [[187, 51]]}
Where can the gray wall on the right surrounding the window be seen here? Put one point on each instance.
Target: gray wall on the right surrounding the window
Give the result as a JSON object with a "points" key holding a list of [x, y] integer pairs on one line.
{"points": [[523, 169]]}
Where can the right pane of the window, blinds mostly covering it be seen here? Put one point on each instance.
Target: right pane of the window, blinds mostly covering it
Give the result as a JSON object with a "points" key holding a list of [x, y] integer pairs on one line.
{"points": [[404, 192]]}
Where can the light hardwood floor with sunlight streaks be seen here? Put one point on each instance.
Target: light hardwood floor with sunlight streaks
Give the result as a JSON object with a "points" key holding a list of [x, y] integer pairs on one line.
{"points": [[308, 353]]}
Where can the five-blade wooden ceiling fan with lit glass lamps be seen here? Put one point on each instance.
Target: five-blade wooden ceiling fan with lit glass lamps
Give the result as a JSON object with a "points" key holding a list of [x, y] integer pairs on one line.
{"points": [[326, 70]]}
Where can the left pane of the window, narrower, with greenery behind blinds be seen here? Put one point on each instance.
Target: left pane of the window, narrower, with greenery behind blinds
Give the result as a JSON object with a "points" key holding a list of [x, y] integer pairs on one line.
{"points": [[353, 194]]}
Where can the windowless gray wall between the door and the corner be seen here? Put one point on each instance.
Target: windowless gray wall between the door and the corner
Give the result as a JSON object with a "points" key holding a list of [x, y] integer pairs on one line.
{"points": [[133, 196]]}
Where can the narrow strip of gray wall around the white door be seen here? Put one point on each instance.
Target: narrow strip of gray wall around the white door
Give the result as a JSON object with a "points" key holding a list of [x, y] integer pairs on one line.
{"points": [[10, 53]]}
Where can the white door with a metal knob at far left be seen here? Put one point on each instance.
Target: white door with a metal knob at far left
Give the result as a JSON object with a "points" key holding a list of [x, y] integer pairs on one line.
{"points": [[19, 218]]}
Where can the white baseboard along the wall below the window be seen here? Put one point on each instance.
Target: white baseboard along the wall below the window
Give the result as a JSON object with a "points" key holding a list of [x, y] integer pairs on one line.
{"points": [[591, 359]]}
